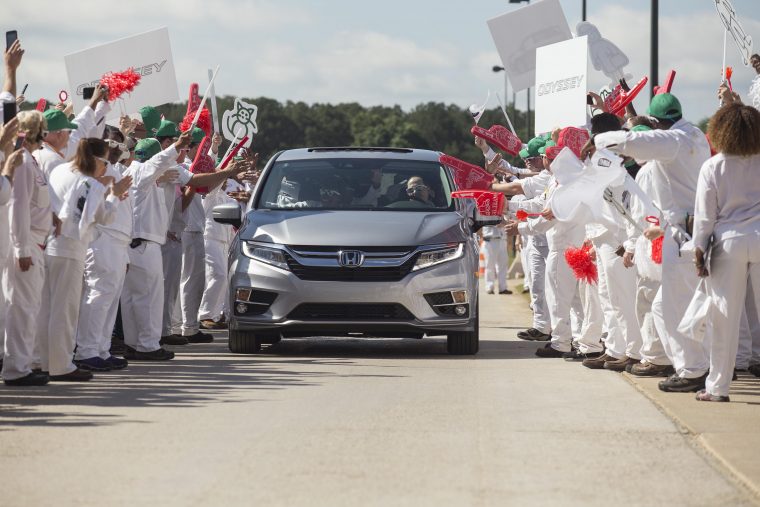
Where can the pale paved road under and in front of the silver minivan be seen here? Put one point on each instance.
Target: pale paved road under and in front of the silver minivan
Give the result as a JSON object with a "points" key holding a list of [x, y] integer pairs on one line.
{"points": [[353, 422]]}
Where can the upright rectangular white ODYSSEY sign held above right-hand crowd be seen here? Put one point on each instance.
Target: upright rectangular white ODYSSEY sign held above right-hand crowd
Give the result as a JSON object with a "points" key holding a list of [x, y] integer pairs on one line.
{"points": [[561, 76]]}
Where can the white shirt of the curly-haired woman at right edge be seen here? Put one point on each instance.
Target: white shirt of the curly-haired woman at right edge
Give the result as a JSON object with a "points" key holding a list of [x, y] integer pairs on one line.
{"points": [[728, 199]]}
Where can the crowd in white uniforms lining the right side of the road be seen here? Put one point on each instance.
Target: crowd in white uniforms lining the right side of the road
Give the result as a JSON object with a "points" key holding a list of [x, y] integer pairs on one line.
{"points": [[685, 222]]}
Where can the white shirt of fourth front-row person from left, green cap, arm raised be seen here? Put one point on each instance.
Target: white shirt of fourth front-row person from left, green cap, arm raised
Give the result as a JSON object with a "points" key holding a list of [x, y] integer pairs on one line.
{"points": [[150, 212]]}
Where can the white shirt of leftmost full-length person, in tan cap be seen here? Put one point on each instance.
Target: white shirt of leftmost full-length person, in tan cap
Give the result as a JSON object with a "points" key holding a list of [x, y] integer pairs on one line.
{"points": [[30, 216]]}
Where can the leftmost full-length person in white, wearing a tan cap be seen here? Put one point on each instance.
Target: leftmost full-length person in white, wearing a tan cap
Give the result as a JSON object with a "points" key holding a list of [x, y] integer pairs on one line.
{"points": [[30, 222]]}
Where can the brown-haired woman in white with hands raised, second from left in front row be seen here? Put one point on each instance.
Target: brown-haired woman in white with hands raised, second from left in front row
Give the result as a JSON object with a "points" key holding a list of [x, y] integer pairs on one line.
{"points": [[82, 196]]}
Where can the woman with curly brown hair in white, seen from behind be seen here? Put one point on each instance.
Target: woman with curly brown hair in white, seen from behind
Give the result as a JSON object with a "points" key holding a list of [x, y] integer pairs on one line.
{"points": [[727, 217]]}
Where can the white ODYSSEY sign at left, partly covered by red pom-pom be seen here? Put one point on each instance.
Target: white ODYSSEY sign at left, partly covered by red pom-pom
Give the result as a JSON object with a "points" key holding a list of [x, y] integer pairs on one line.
{"points": [[149, 54]]}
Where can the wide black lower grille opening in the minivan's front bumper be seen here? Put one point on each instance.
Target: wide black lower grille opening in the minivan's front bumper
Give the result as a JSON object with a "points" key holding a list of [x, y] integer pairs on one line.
{"points": [[348, 311]]}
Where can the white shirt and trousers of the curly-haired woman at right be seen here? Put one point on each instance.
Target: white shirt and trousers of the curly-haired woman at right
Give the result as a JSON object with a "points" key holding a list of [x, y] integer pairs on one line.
{"points": [[728, 208]]}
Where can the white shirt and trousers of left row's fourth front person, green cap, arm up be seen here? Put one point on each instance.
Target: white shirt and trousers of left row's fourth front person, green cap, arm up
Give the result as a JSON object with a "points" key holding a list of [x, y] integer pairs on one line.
{"points": [[143, 295]]}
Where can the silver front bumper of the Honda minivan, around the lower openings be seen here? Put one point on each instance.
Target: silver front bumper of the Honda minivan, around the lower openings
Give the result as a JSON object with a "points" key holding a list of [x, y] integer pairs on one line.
{"points": [[459, 274]]}
